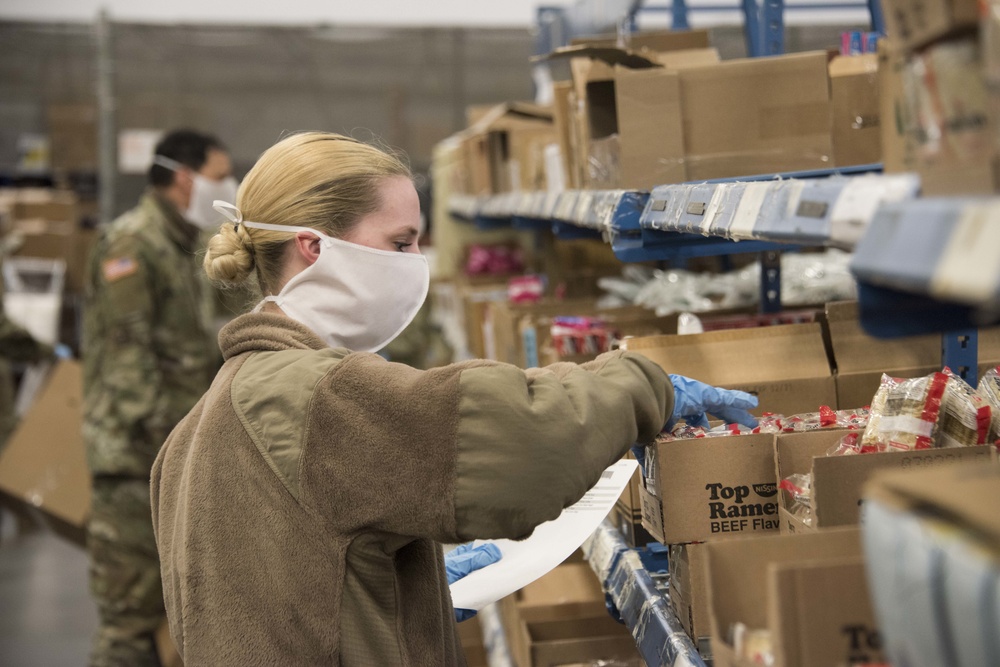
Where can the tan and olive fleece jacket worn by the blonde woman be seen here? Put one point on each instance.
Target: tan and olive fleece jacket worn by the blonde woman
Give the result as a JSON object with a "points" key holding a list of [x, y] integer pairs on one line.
{"points": [[299, 507]]}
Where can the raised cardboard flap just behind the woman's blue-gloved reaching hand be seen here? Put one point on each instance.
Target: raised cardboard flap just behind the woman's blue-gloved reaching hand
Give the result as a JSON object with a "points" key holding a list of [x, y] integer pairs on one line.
{"points": [[740, 356]]}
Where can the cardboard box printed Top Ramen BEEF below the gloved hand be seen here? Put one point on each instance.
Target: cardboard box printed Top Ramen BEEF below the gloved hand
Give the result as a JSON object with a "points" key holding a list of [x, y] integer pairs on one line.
{"points": [[710, 488]]}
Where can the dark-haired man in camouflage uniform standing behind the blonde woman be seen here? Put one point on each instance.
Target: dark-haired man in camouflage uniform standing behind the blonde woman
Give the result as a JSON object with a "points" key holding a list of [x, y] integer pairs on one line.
{"points": [[148, 355]]}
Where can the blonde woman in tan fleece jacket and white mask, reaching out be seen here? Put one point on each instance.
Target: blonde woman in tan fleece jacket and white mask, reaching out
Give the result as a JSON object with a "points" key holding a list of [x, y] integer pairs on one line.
{"points": [[299, 508]]}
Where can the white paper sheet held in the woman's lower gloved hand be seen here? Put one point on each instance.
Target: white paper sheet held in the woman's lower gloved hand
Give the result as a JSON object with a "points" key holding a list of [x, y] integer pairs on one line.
{"points": [[550, 544]]}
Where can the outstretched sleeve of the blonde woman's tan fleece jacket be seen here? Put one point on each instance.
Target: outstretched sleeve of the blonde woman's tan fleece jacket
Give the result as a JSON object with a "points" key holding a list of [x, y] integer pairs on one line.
{"points": [[472, 450]]}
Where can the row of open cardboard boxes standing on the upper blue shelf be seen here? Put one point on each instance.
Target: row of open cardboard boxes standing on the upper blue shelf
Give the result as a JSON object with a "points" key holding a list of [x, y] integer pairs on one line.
{"points": [[664, 109]]}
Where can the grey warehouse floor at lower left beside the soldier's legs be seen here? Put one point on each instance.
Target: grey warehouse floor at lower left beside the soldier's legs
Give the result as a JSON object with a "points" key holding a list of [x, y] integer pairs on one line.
{"points": [[47, 618]]}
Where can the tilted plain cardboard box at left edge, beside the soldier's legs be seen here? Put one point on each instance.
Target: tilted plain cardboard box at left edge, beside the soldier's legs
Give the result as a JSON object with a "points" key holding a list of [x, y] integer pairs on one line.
{"points": [[44, 464]]}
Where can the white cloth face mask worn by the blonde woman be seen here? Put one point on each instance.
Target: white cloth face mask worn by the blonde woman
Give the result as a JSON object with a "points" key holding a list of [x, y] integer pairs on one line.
{"points": [[352, 296]]}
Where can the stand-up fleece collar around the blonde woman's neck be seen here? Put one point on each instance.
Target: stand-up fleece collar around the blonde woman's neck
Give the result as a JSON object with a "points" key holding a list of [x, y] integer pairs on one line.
{"points": [[266, 332]]}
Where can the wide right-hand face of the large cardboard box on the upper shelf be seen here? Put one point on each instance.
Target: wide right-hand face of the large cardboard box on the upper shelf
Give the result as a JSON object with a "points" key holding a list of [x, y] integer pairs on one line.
{"points": [[757, 116]]}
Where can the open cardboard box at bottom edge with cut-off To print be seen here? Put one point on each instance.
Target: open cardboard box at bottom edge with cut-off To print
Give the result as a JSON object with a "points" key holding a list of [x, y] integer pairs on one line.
{"points": [[809, 591]]}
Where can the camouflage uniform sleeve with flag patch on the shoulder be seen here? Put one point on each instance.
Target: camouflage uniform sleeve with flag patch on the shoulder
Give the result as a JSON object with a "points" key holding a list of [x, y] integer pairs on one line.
{"points": [[126, 288]]}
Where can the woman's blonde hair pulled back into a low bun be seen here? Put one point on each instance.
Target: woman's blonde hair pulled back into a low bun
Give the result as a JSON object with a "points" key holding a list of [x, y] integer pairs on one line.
{"points": [[320, 180]]}
